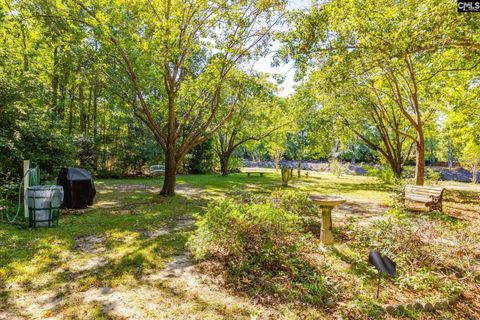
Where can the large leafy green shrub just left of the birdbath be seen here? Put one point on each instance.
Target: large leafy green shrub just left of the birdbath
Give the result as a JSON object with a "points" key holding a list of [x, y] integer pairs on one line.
{"points": [[262, 248]]}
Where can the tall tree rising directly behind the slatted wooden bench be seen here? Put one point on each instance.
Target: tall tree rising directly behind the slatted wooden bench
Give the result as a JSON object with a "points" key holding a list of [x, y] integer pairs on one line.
{"points": [[393, 48]]}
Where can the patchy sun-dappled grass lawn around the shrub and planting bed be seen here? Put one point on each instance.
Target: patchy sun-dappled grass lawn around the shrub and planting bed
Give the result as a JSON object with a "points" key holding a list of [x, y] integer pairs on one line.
{"points": [[126, 257]]}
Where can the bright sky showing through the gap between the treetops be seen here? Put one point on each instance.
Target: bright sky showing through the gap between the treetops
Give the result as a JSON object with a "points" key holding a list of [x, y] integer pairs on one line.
{"points": [[287, 70]]}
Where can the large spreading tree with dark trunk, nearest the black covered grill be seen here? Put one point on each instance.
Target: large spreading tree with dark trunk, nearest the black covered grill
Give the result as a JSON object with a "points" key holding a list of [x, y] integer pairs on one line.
{"points": [[171, 58]]}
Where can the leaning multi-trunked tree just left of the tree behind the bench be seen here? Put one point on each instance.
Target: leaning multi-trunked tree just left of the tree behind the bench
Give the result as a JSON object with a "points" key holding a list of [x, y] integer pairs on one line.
{"points": [[356, 108]]}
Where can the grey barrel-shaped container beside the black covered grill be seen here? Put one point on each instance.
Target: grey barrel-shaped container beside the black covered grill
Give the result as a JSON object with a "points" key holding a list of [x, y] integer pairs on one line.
{"points": [[44, 204]]}
